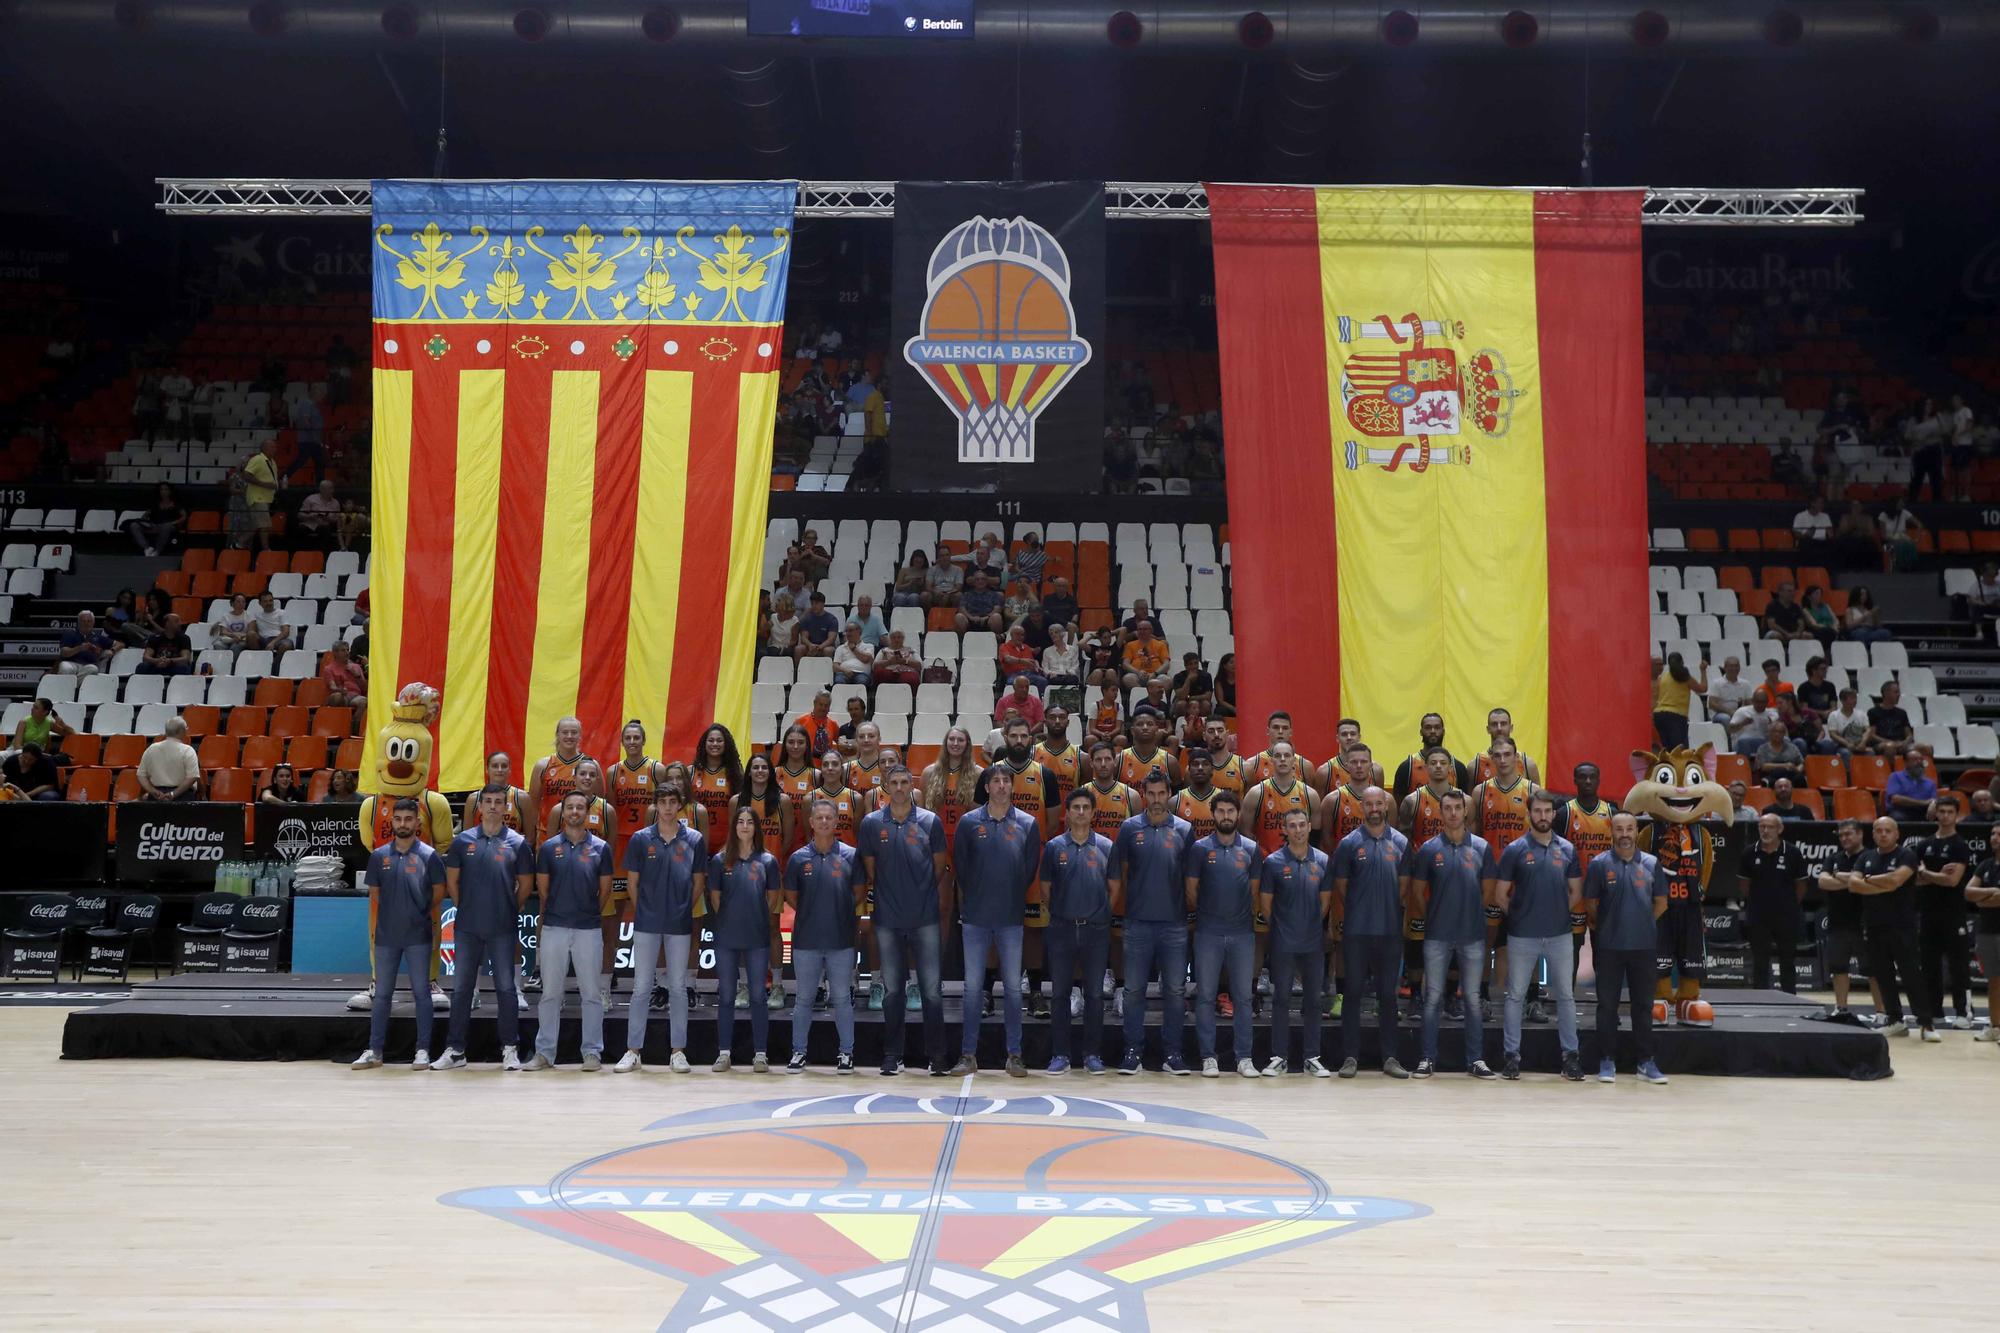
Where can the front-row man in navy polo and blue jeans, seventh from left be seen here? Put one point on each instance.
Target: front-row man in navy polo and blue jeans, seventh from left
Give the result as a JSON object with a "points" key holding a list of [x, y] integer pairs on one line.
{"points": [[903, 860]]}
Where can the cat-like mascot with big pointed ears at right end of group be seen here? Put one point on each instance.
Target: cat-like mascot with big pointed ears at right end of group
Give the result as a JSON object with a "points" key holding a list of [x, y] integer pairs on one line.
{"points": [[1675, 790]]}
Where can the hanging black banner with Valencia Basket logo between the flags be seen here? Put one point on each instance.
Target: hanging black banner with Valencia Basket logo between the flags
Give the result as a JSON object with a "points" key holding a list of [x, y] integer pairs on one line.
{"points": [[999, 323]]}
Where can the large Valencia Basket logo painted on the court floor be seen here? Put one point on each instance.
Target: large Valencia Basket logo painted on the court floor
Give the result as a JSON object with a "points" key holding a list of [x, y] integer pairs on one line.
{"points": [[891, 1212]]}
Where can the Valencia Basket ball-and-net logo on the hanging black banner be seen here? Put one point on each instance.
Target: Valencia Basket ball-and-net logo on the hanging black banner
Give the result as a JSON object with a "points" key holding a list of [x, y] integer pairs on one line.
{"points": [[999, 333]]}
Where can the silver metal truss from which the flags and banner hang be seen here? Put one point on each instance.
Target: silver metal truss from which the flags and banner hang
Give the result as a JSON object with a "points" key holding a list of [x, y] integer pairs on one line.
{"points": [[1123, 199]]}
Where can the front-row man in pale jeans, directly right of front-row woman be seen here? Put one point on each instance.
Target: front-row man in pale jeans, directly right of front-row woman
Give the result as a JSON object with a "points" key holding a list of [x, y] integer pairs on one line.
{"points": [[825, 888]]}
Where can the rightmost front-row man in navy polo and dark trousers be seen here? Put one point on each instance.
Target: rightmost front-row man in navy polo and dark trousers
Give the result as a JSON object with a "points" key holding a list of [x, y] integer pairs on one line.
{"points": [[1625, 896]]}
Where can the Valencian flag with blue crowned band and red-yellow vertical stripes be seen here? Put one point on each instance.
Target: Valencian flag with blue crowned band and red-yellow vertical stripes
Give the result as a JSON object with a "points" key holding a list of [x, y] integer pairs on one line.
{"points": [[573, 423]]}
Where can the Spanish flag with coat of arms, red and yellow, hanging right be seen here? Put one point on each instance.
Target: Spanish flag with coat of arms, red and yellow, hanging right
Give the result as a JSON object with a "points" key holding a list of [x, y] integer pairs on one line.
{"points": [[1437, 469]]}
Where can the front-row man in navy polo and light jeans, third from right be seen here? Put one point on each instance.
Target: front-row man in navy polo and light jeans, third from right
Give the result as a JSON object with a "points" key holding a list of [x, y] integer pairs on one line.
{"points": [[1445, 884]]}
